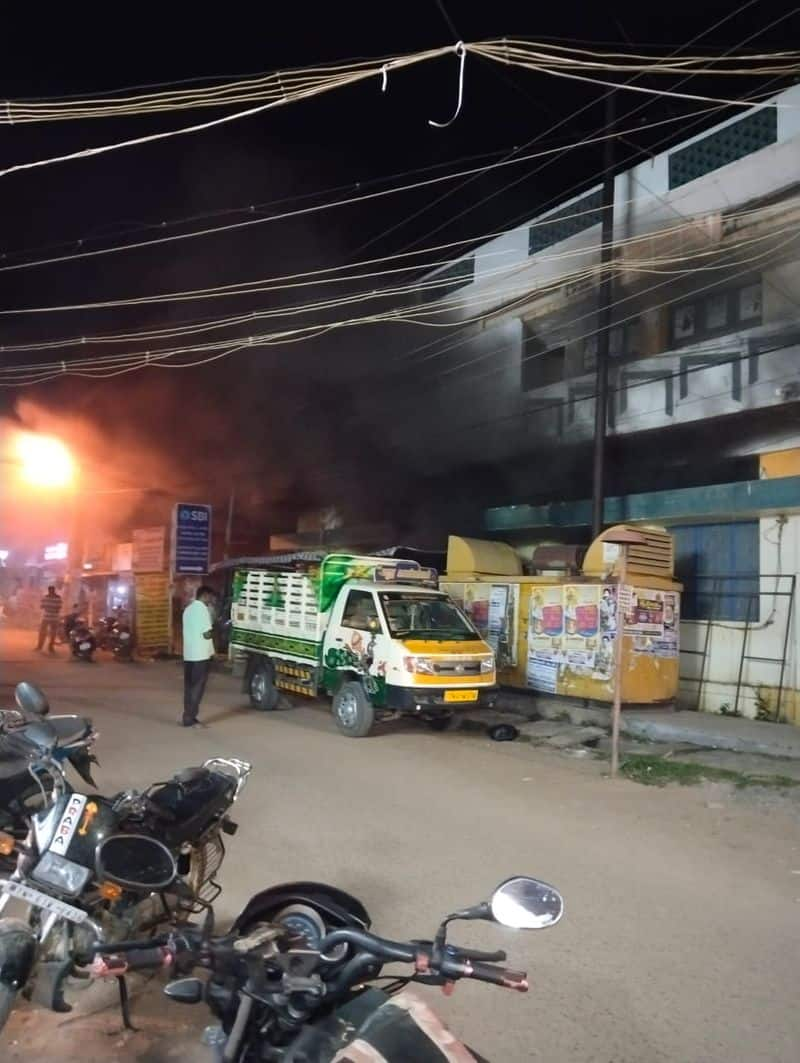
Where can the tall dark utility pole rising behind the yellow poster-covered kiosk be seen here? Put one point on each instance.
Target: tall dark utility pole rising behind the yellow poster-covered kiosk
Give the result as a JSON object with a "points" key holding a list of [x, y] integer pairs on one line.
{"points": [[606, 296]]}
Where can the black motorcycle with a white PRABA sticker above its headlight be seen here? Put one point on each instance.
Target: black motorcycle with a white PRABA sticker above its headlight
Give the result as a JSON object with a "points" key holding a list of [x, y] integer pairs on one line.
{"points": [[81, 867]]}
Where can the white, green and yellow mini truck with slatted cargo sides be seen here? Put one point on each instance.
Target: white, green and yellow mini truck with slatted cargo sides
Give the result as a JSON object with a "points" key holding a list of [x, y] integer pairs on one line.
{"points": [[375, 634]]}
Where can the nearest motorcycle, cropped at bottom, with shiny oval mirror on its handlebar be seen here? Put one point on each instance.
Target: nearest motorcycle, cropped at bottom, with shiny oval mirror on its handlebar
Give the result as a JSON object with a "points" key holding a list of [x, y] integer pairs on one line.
{"points": [[291, 983]]}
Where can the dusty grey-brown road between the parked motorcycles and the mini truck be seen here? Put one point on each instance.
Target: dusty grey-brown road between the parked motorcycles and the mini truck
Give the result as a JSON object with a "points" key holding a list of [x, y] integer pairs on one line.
{"points": [[683, 926]]}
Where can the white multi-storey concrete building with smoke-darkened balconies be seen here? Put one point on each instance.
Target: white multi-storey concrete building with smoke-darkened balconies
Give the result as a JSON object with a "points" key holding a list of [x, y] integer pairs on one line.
{"points": [[705, 407]]}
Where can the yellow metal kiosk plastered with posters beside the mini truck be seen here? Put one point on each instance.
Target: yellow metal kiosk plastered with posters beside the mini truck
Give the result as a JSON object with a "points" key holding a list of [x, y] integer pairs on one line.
{"points": [[555, 632]]}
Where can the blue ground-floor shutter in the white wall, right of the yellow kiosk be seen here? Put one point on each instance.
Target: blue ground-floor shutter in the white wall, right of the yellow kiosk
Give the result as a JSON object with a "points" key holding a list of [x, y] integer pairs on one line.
{"points": [[719, 566]]}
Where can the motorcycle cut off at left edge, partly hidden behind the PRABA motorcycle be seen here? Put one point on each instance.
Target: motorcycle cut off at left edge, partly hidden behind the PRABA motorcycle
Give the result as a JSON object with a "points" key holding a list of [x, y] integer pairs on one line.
{"points": [[23, 792]]}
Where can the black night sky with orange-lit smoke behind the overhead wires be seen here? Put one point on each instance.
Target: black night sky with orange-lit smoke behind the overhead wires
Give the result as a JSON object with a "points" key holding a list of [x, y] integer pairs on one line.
{"points": [[266, 415]]}
